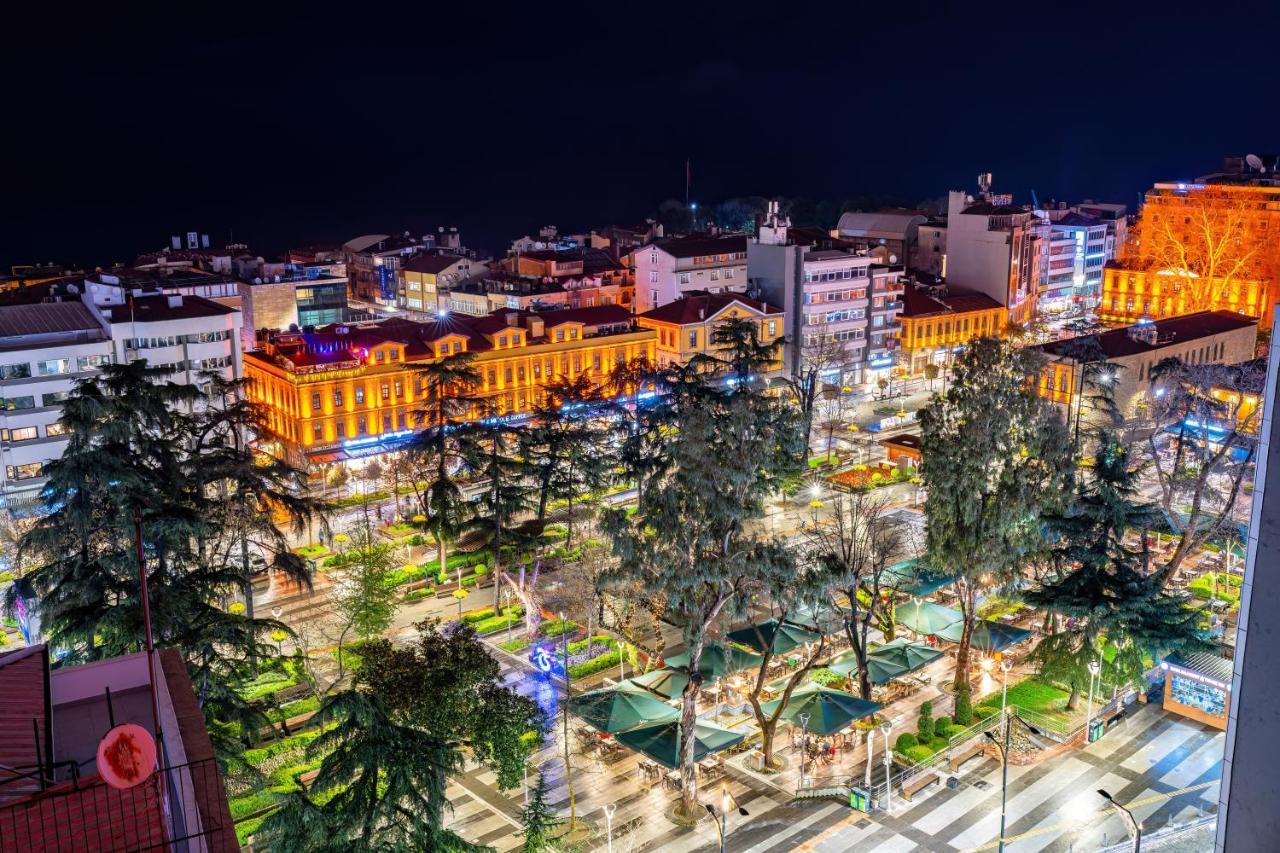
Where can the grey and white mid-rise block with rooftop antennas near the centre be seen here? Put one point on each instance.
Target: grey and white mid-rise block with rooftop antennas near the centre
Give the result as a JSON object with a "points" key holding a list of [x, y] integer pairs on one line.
{"points": [[842, 307]]}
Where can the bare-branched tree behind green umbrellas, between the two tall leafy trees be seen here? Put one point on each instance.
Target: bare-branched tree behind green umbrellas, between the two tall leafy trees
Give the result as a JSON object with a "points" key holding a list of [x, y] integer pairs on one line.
{"points": [[853, 554]]}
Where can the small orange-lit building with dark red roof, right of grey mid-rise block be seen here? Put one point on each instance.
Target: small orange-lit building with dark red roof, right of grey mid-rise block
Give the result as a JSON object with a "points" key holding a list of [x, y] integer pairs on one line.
{"points": [[936, 327]]}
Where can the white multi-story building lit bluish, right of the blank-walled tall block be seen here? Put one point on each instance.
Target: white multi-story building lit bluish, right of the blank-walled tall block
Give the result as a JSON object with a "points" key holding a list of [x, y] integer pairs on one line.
{"points": [[1075, 252]]}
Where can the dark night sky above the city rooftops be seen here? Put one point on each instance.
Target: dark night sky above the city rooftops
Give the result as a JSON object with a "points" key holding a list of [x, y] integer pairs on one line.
{"points": [[305, 125]]}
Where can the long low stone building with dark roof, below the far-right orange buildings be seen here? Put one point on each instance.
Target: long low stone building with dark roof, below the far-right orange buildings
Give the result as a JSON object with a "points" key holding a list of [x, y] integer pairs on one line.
{"points": [[1209, 337]]}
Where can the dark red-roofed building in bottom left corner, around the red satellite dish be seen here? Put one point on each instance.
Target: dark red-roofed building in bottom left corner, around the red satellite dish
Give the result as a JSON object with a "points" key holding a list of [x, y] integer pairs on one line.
{"points": [[53, 795]]}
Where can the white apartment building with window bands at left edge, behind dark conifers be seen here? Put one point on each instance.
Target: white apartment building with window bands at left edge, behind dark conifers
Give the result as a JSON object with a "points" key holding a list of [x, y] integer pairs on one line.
{"points": [[47, 348]]}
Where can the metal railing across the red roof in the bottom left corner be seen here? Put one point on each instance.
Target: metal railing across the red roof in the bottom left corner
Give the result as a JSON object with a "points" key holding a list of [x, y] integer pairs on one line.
{"points": [[175, 810]]}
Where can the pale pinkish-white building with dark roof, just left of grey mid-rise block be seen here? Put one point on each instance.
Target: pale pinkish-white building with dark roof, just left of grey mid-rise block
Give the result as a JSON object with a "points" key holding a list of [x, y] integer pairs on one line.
{"points": [[668, 270]]}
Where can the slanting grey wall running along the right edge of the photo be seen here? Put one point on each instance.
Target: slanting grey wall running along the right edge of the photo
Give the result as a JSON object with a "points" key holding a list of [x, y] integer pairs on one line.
{"points": [[1249, 818]]}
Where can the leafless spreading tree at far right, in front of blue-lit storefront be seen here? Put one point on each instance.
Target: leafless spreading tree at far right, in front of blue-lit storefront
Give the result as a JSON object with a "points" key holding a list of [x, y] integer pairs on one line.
{"points": [[1210, 416]]}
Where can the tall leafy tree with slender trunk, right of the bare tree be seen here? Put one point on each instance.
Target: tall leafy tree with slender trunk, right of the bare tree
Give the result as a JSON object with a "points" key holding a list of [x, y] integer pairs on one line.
{"points": [[995, 458]]}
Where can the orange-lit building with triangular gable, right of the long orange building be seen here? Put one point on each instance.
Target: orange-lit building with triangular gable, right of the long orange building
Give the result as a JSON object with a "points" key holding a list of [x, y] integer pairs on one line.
{"points": [[687, 327]]}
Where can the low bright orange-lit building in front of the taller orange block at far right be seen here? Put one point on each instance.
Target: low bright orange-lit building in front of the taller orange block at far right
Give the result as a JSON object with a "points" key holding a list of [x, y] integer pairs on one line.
{"points": [[1131, 295]]}
